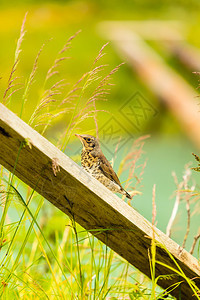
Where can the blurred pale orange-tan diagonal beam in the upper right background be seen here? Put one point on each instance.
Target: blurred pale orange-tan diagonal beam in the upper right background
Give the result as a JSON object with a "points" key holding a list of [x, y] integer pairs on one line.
{"points": [[180, 98]]}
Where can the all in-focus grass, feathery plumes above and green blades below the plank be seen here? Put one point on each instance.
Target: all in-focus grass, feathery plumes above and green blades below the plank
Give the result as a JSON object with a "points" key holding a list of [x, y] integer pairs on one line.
{"points": [[43, 254]]}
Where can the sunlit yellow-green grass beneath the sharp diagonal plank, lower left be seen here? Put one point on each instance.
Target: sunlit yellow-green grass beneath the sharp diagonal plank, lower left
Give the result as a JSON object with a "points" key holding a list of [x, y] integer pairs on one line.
{"points": [[74, 264]]}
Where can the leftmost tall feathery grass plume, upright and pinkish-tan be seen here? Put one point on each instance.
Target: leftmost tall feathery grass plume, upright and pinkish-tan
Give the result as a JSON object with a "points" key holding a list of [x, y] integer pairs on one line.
{"points": [[14, 86]]}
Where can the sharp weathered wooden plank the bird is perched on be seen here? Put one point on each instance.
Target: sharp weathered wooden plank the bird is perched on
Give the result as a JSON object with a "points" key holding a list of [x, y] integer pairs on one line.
{"points": [[91, 204]]}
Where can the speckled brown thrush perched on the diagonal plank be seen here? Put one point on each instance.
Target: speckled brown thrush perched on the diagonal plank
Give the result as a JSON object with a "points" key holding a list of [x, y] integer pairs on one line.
{"points": [[95, 163]]}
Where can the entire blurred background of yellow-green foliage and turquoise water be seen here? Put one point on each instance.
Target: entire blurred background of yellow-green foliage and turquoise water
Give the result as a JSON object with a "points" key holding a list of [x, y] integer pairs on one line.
{"points": [[168, 149]]}
